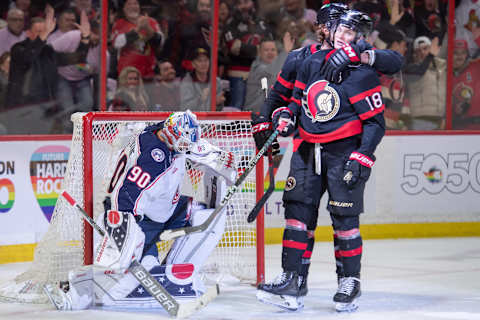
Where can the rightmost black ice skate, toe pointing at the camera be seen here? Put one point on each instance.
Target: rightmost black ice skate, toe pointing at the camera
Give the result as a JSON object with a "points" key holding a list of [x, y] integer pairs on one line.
{"points": [[346, 298]]}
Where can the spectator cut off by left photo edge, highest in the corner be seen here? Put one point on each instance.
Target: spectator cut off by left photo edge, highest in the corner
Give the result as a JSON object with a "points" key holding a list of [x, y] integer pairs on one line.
{"points": [[13, 33]]}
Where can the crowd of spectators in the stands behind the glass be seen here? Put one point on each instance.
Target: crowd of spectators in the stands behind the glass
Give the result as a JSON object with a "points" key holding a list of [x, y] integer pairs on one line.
{"points": [[159, 57]]}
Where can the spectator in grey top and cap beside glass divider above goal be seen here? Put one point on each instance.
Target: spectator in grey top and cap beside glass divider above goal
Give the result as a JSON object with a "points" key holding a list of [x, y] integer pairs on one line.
{"points": [[195, 86]]}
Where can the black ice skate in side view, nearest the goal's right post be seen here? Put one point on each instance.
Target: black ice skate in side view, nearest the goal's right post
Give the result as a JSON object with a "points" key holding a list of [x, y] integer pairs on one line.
{"points": [[283, 292]]}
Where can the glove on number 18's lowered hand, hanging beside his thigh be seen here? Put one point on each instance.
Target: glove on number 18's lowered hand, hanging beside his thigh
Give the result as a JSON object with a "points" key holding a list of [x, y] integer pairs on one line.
{"points": [[357, 167]]}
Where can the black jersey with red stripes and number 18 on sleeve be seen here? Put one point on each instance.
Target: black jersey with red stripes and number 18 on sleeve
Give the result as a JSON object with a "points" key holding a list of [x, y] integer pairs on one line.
{"points": [[328, 111]]}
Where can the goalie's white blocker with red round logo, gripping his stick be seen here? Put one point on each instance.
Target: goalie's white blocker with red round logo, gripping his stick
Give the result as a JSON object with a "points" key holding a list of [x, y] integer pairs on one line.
{"points": [[123, 242]]}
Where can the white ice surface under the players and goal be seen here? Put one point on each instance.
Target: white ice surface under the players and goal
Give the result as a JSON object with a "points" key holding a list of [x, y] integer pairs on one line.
{"points": [[413, 279]]}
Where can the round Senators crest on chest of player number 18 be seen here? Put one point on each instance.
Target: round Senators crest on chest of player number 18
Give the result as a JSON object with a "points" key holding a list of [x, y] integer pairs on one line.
{"points": [[320, 101]]}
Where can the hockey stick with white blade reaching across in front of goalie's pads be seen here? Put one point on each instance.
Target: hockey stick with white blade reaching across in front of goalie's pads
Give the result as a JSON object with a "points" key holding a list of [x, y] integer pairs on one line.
{"points": [[175, 233]]}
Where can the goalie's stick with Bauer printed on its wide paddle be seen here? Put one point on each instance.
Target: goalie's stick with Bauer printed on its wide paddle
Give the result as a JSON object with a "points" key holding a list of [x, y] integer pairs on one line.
{"points": [[148, 282]]}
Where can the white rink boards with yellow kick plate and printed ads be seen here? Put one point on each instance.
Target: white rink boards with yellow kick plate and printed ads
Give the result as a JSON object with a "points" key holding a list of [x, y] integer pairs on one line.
{"points": [[421, 186]]}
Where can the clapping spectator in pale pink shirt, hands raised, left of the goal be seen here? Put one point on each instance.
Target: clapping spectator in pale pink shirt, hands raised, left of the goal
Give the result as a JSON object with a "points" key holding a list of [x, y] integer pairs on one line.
{"points": [[78, 53]]}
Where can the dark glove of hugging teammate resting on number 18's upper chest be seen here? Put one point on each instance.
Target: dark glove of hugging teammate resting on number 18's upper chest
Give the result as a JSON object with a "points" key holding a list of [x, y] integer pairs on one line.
{"points": [[337, 61]]}
